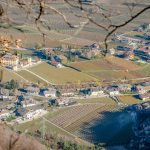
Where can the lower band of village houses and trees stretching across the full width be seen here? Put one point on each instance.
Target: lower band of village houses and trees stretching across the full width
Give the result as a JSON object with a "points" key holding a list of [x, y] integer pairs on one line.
{"points": [[24, 106]]}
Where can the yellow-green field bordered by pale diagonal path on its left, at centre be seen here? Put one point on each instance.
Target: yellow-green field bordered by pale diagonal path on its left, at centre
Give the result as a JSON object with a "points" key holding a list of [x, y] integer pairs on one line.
{"points": [[60, 76]]}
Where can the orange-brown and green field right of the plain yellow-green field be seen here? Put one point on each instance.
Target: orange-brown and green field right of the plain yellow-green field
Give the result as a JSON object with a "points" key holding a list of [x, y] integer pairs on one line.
{"points": [[112, 68]]}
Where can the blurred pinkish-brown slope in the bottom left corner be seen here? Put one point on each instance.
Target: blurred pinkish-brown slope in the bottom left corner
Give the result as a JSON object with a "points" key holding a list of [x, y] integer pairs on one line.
{"points": [[10, 140]]}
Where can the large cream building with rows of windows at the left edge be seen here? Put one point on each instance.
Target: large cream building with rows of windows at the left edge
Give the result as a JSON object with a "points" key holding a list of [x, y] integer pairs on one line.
{"points": [[9, 60]]}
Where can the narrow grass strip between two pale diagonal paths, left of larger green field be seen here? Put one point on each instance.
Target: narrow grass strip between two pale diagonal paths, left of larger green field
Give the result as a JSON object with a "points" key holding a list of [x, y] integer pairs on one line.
{"points": [[30, 77]]}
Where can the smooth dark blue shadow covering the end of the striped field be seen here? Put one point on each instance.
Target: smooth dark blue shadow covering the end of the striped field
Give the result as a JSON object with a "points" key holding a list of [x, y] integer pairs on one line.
{"points": [[110, 128]]}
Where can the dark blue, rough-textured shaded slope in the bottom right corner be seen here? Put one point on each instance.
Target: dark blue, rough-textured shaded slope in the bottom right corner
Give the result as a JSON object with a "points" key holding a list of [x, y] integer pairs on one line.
{"points": [[141, 127]]}
